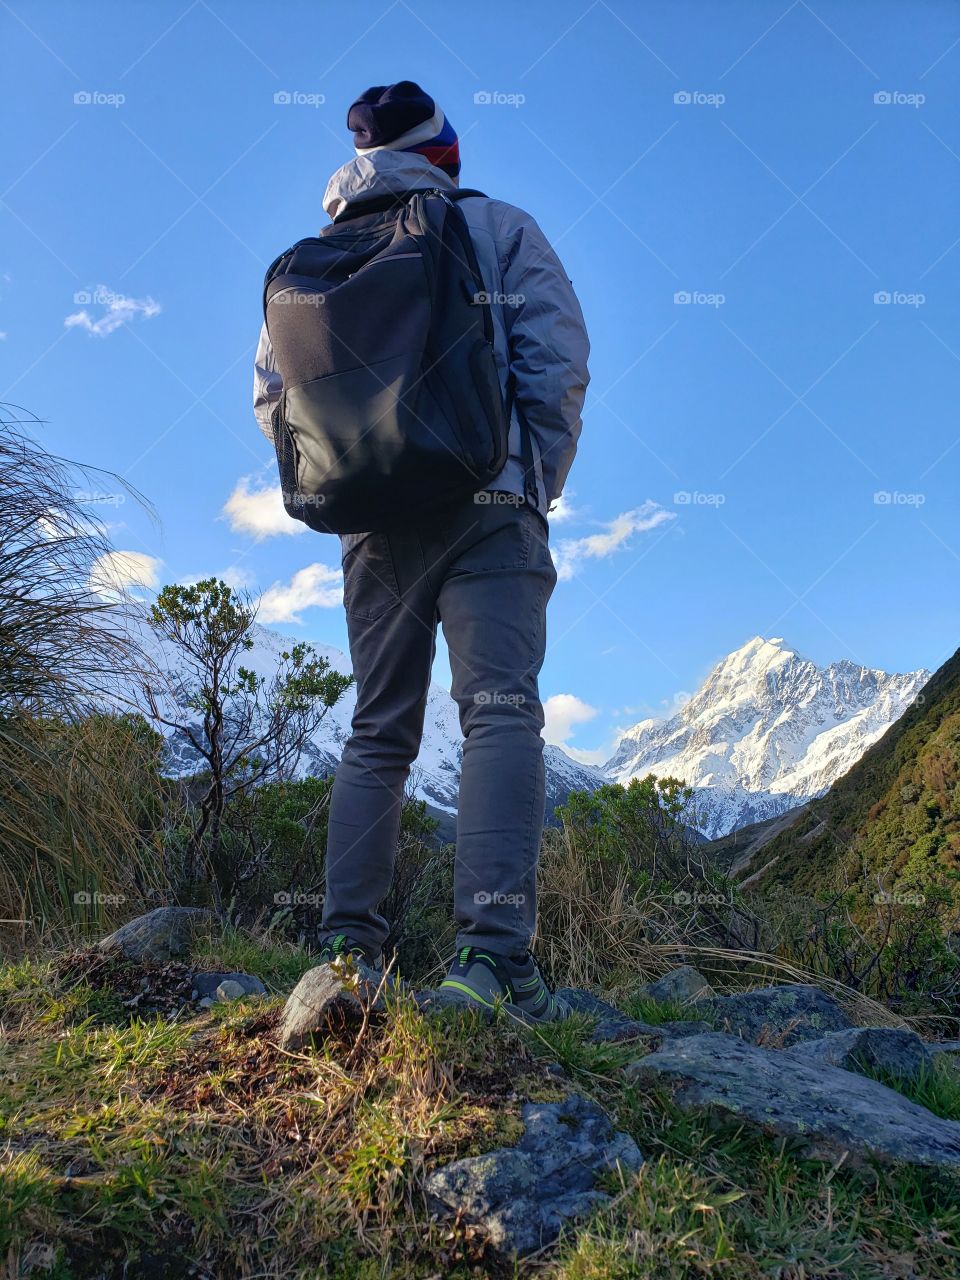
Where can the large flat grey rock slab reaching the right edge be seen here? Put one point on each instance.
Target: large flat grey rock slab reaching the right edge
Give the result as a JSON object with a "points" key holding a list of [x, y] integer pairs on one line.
{"points": [[831, 1112]]}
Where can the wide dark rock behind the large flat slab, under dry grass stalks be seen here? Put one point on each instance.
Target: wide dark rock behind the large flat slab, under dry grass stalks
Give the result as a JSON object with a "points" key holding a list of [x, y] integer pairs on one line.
{"points": [[787, 1014]]}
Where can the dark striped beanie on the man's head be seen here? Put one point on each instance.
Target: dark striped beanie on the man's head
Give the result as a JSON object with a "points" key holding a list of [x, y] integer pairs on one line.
{"points": [[404, 118]]}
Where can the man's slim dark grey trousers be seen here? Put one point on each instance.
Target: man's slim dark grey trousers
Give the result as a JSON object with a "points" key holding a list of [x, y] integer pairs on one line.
{"points": [[486, 574]]}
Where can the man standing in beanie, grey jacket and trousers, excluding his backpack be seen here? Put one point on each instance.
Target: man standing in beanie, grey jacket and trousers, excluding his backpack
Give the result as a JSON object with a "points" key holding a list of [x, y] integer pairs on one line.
{"points": [[484, 574]]}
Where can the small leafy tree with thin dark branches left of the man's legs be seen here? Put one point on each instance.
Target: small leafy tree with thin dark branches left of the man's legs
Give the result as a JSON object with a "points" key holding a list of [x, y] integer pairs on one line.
{"points": [[246, 728]]}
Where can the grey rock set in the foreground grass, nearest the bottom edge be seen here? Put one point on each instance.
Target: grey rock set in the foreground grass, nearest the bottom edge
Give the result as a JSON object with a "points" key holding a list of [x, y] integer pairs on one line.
{"points": [[523, 1196]]}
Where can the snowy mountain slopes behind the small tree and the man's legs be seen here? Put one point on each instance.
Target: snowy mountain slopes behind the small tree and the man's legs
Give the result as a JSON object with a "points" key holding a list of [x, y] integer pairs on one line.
{"points": [[436, 774]]}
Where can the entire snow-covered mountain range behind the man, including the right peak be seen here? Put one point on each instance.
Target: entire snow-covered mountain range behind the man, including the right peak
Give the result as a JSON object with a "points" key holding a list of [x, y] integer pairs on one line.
{"points": [[767, 730]]}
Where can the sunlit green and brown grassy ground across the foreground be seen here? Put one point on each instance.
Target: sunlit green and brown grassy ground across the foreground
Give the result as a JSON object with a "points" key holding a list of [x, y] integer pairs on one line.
{"points": [[191, 1140]]}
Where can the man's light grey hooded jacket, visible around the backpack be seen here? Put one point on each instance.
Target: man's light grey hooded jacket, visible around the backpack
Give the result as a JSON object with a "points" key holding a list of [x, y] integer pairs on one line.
{"points": [[540, 330]]}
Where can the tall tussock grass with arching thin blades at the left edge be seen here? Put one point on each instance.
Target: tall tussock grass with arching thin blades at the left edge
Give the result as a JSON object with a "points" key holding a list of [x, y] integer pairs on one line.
{"points": [[72, 811]]}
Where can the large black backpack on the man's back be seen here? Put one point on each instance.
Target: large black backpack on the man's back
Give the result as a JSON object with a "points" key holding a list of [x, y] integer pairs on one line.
{"points": [[382, 331]]}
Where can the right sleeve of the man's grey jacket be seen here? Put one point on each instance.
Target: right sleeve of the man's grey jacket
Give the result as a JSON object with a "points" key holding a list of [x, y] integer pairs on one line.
{"points": [[548, 345]]}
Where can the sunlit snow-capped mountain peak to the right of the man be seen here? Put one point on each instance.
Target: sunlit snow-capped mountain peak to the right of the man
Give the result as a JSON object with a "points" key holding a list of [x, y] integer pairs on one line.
{"points": [[767, 730]]}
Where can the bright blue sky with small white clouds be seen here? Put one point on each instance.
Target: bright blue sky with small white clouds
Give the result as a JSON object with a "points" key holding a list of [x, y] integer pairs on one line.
{"points": [[783, 166]]}
